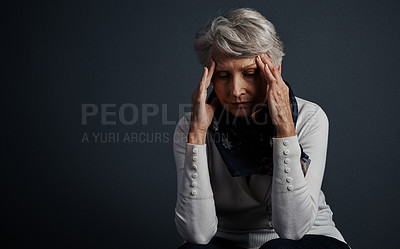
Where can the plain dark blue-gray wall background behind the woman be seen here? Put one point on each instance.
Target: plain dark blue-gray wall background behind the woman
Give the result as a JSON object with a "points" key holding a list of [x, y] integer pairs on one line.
{"points": [[57, 192]]}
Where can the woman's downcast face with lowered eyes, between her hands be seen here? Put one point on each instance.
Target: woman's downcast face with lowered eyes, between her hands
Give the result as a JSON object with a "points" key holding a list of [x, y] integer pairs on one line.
{"points": [[239, 85]]}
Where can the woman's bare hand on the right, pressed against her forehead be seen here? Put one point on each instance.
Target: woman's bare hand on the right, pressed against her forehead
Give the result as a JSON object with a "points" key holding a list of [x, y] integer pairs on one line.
{"points": [[277, 96]]}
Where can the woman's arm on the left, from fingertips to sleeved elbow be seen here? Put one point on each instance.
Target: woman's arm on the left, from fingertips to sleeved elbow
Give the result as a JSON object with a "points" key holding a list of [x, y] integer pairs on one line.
{"points": [[195, 215]]}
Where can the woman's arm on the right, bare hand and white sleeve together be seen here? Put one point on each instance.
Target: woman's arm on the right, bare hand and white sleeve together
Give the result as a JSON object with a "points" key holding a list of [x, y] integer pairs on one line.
{"points": [[294, 196]]}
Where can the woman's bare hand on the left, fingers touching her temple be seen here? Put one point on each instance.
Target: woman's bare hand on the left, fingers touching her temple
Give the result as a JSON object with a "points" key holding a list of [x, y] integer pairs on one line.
{"points": [[202, 113]]}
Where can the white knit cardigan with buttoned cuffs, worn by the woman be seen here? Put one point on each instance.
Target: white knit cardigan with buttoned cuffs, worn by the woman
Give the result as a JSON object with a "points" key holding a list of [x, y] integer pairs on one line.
{"points": [[210, 202]]}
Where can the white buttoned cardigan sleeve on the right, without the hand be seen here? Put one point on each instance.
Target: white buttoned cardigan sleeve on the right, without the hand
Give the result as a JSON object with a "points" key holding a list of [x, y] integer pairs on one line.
{"points": [[295, 196]]}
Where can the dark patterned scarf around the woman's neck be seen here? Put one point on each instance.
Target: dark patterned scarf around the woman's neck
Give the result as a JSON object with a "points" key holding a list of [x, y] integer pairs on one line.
{"points": [[245, 144]]}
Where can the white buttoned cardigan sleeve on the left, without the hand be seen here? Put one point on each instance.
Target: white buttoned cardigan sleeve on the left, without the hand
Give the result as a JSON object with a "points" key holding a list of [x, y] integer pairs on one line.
{"points": [[195, 214]]}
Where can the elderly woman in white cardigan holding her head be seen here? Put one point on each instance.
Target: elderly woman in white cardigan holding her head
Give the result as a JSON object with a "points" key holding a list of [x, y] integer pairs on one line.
{"points": [[251, 158]]}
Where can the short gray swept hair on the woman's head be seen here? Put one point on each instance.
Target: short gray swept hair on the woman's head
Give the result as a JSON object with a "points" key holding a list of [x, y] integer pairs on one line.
{"points": [[239, 33]]}
